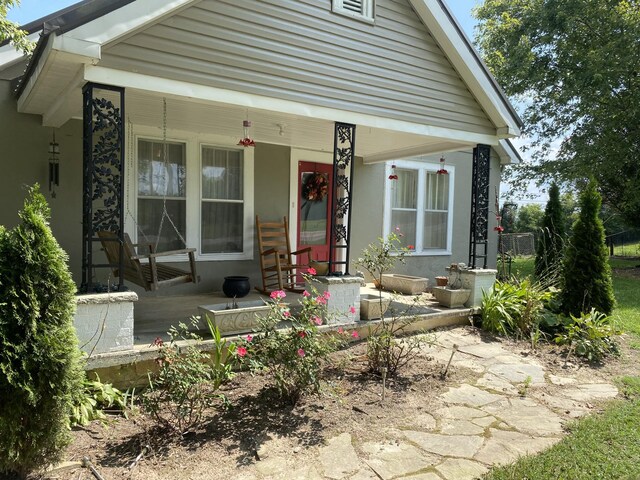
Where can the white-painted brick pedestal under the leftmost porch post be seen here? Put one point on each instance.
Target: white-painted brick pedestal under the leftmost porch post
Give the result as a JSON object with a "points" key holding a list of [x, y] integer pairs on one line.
{"points": [[104, 322]]}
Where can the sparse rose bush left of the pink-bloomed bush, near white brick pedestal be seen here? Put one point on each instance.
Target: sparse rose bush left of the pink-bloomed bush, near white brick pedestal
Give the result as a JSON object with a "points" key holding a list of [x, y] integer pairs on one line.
{"points": [[188, 378]]}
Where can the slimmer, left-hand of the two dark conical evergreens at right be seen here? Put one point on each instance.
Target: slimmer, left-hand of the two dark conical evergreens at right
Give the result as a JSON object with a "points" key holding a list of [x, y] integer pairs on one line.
{"points": [[551, 239]]}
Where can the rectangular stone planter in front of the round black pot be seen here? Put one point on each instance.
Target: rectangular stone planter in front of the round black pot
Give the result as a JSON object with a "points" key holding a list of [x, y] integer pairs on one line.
{"points": [[230, 321]]}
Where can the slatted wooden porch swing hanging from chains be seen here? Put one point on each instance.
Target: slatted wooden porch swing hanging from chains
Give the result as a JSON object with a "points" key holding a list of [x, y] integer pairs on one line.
{"points": [[149, 275]]}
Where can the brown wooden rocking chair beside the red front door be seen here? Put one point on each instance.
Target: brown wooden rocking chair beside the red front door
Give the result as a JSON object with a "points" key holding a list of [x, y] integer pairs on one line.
{"points": [[276, 257]]}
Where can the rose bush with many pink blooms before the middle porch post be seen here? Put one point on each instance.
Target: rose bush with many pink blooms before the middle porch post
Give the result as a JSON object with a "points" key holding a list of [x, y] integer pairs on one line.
{"points": [[292, 357]]}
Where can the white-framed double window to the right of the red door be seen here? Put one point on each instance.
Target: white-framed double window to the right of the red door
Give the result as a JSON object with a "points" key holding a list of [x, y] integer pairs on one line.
{"points": [[419, 206]]}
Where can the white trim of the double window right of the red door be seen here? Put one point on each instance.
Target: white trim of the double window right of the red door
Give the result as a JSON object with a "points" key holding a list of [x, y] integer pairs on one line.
{"points": [[422, 167]]}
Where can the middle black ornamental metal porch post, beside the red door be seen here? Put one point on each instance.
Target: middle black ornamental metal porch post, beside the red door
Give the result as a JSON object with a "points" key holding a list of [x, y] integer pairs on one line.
{"points": [[344, 145]]}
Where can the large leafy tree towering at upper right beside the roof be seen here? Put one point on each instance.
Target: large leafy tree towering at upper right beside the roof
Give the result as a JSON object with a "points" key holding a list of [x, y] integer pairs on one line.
{"points": [[574, 68]]}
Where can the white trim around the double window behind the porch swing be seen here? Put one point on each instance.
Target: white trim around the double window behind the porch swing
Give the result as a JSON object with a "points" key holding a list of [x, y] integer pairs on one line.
{"points": [[193, 147]]}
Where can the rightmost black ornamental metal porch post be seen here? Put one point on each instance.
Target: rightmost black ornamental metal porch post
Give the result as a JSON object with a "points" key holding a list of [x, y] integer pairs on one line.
{"points": [[479, 232]]}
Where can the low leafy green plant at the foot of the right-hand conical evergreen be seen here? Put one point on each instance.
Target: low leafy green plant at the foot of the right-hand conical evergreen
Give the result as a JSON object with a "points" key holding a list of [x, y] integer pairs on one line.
{"points": [[590, 336]]}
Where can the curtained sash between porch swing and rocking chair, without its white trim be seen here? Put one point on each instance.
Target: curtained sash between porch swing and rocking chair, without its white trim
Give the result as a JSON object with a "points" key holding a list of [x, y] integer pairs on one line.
{"points": [[222, 213]]}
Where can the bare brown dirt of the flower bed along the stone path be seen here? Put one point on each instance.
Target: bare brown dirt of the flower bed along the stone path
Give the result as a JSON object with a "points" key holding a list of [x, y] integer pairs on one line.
{"points": [[350, 402]]}
